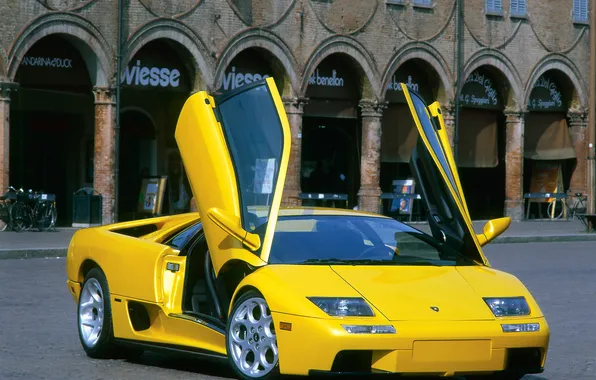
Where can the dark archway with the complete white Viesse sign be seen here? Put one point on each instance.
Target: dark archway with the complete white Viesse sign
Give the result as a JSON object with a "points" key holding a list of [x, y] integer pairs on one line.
{"points": [[155, 84]]}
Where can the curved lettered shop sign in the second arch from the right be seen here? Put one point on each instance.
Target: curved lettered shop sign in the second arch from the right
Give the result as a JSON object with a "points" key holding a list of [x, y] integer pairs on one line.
{"points": [[478, 92]]}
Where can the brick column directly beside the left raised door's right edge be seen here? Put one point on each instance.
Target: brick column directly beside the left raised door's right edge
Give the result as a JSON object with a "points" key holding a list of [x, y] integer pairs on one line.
{"points": [[294, 110]]}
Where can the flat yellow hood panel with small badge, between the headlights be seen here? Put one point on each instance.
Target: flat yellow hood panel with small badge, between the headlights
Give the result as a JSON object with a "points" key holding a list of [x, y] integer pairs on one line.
{"points": [[417, 293]]}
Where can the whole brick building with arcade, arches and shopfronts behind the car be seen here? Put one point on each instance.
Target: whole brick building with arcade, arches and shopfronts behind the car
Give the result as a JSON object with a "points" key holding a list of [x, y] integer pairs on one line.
{"points": [[524, 66]]}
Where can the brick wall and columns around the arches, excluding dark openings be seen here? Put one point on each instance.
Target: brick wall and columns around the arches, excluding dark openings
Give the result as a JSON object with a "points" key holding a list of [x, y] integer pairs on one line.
{"points": [[297, 35]]}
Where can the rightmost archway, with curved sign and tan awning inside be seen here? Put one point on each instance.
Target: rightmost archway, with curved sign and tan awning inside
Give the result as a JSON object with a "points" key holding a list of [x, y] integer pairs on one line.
{"points": [[555, 136]]}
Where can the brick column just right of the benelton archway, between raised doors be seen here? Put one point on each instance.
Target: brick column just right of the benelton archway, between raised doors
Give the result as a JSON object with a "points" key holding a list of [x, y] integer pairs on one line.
{"points": [[370, 161]]}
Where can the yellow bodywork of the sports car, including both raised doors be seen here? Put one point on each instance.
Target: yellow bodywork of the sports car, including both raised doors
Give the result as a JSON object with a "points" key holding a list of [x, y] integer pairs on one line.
{"points": [[443, 325]]}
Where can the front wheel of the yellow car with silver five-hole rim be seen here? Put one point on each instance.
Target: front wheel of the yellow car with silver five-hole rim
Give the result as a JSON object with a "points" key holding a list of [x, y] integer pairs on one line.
{"points": [[251, 342]]}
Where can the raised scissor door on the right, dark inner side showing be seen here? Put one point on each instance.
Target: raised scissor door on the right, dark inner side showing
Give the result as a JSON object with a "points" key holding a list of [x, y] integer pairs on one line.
{"points": [[434, 168]]}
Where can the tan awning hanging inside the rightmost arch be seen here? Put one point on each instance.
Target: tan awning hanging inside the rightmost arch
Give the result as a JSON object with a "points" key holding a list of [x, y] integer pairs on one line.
{"points": [[547, 137]]}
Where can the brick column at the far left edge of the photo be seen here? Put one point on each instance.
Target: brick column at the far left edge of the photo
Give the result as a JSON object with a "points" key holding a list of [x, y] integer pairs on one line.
{"points": [[5, 90]]}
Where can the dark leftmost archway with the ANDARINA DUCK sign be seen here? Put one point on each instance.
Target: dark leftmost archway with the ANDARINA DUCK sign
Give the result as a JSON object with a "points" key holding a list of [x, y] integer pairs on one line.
{"points": [[53, 118]]}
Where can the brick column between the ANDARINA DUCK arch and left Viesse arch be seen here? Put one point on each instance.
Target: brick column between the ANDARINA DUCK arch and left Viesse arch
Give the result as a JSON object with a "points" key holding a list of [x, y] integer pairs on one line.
{"points": [[104, 168]]}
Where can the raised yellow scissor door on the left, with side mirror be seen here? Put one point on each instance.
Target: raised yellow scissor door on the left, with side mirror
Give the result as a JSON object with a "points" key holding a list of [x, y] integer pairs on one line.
{"points": [[235, 150]]}
